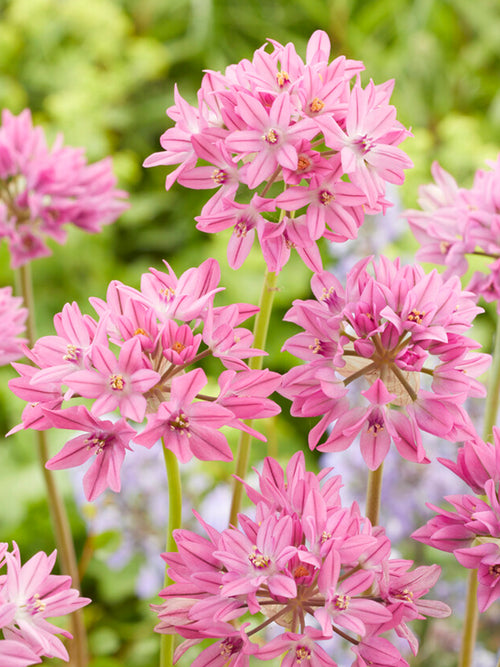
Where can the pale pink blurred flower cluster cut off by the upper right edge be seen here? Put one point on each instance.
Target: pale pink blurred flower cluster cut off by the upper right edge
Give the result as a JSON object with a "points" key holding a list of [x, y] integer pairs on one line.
{"points": [[455, 223]]}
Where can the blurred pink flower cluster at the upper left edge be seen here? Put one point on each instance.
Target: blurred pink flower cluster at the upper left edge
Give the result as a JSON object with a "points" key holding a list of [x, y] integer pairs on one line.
{"points": [[42, 189]]}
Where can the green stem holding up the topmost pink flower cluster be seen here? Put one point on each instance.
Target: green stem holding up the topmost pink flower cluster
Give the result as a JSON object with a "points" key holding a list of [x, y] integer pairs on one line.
{"points": [[260, 335]]}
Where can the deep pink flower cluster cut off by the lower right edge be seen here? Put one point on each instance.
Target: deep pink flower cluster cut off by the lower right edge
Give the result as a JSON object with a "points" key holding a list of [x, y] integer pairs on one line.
{"points": [[471, 531]]}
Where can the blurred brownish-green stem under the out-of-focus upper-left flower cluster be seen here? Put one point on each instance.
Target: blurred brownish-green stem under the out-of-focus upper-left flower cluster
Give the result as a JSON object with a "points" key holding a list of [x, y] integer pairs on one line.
{"points": [[60, 521]]}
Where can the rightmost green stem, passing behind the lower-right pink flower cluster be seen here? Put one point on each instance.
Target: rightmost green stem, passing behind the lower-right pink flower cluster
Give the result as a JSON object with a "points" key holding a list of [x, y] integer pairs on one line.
{"points": [[490, 415]]}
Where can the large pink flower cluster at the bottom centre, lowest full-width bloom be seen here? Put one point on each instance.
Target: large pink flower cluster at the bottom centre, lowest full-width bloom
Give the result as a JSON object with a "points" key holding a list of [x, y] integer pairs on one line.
{"points": [[304, 563]]}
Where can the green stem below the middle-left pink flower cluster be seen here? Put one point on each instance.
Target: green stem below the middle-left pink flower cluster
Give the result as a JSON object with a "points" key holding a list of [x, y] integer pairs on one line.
{"points": [[174, 522]]}
